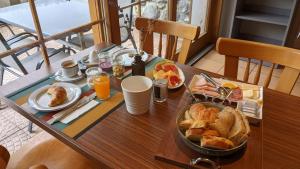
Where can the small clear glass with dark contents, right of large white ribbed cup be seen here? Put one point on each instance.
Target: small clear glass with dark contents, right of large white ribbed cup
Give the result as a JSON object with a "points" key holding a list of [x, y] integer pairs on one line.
{"points": [[160, 90]]}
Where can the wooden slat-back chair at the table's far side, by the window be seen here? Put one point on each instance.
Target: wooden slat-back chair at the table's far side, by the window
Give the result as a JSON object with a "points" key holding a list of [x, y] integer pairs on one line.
{"points": [[173, 30]]}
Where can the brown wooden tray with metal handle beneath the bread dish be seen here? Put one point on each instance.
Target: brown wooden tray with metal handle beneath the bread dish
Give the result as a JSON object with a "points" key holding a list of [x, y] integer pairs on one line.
{"points": [[174, 151]]}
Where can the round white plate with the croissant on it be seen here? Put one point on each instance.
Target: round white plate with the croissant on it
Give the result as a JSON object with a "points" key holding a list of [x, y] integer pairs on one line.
{"points": [[39, 99]]}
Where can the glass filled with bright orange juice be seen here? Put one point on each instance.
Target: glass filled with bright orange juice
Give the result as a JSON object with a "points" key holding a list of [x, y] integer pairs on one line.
{"points": [[102, 86]]}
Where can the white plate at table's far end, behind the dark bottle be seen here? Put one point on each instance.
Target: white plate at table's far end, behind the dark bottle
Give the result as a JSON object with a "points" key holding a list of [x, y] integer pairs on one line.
{"points": [[126, 58]]}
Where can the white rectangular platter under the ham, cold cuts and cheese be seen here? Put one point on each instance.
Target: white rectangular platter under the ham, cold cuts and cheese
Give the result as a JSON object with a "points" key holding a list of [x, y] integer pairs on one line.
{"points": [[254, 118]]}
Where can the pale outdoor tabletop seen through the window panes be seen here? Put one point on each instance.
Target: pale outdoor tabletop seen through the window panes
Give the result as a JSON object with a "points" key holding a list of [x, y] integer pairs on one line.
{"points": [[55, 15]]}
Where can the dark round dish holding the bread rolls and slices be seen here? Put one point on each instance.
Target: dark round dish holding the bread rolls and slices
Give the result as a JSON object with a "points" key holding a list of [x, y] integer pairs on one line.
{"points": [[196, 146]]}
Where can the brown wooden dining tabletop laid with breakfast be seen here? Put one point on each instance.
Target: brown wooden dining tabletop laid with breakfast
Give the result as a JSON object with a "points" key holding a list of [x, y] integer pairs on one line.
{"points": [[122, 140]]}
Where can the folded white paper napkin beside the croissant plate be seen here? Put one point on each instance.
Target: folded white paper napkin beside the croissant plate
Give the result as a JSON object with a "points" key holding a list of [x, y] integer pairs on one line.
{"points": [[79, 112]]}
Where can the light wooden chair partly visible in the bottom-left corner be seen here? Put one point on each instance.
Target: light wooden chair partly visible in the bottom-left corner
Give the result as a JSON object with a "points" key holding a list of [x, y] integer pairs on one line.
{"points": [[44, 151]]}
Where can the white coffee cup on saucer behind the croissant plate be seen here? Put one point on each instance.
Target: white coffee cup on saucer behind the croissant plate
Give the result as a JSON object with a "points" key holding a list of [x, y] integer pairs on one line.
{"points": [[69, 68]]}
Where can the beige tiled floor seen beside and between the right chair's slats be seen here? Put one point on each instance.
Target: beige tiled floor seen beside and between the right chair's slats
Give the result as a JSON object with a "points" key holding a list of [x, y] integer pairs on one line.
{"points": [[214, 62]]}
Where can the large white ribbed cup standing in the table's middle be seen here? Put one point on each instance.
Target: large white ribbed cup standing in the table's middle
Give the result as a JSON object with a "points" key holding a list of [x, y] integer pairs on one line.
{"points": [[137, 91]]}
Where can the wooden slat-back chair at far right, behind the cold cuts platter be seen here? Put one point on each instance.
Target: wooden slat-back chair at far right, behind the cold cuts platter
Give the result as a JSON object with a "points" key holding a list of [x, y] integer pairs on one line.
{"points": [[287, 57]]}
